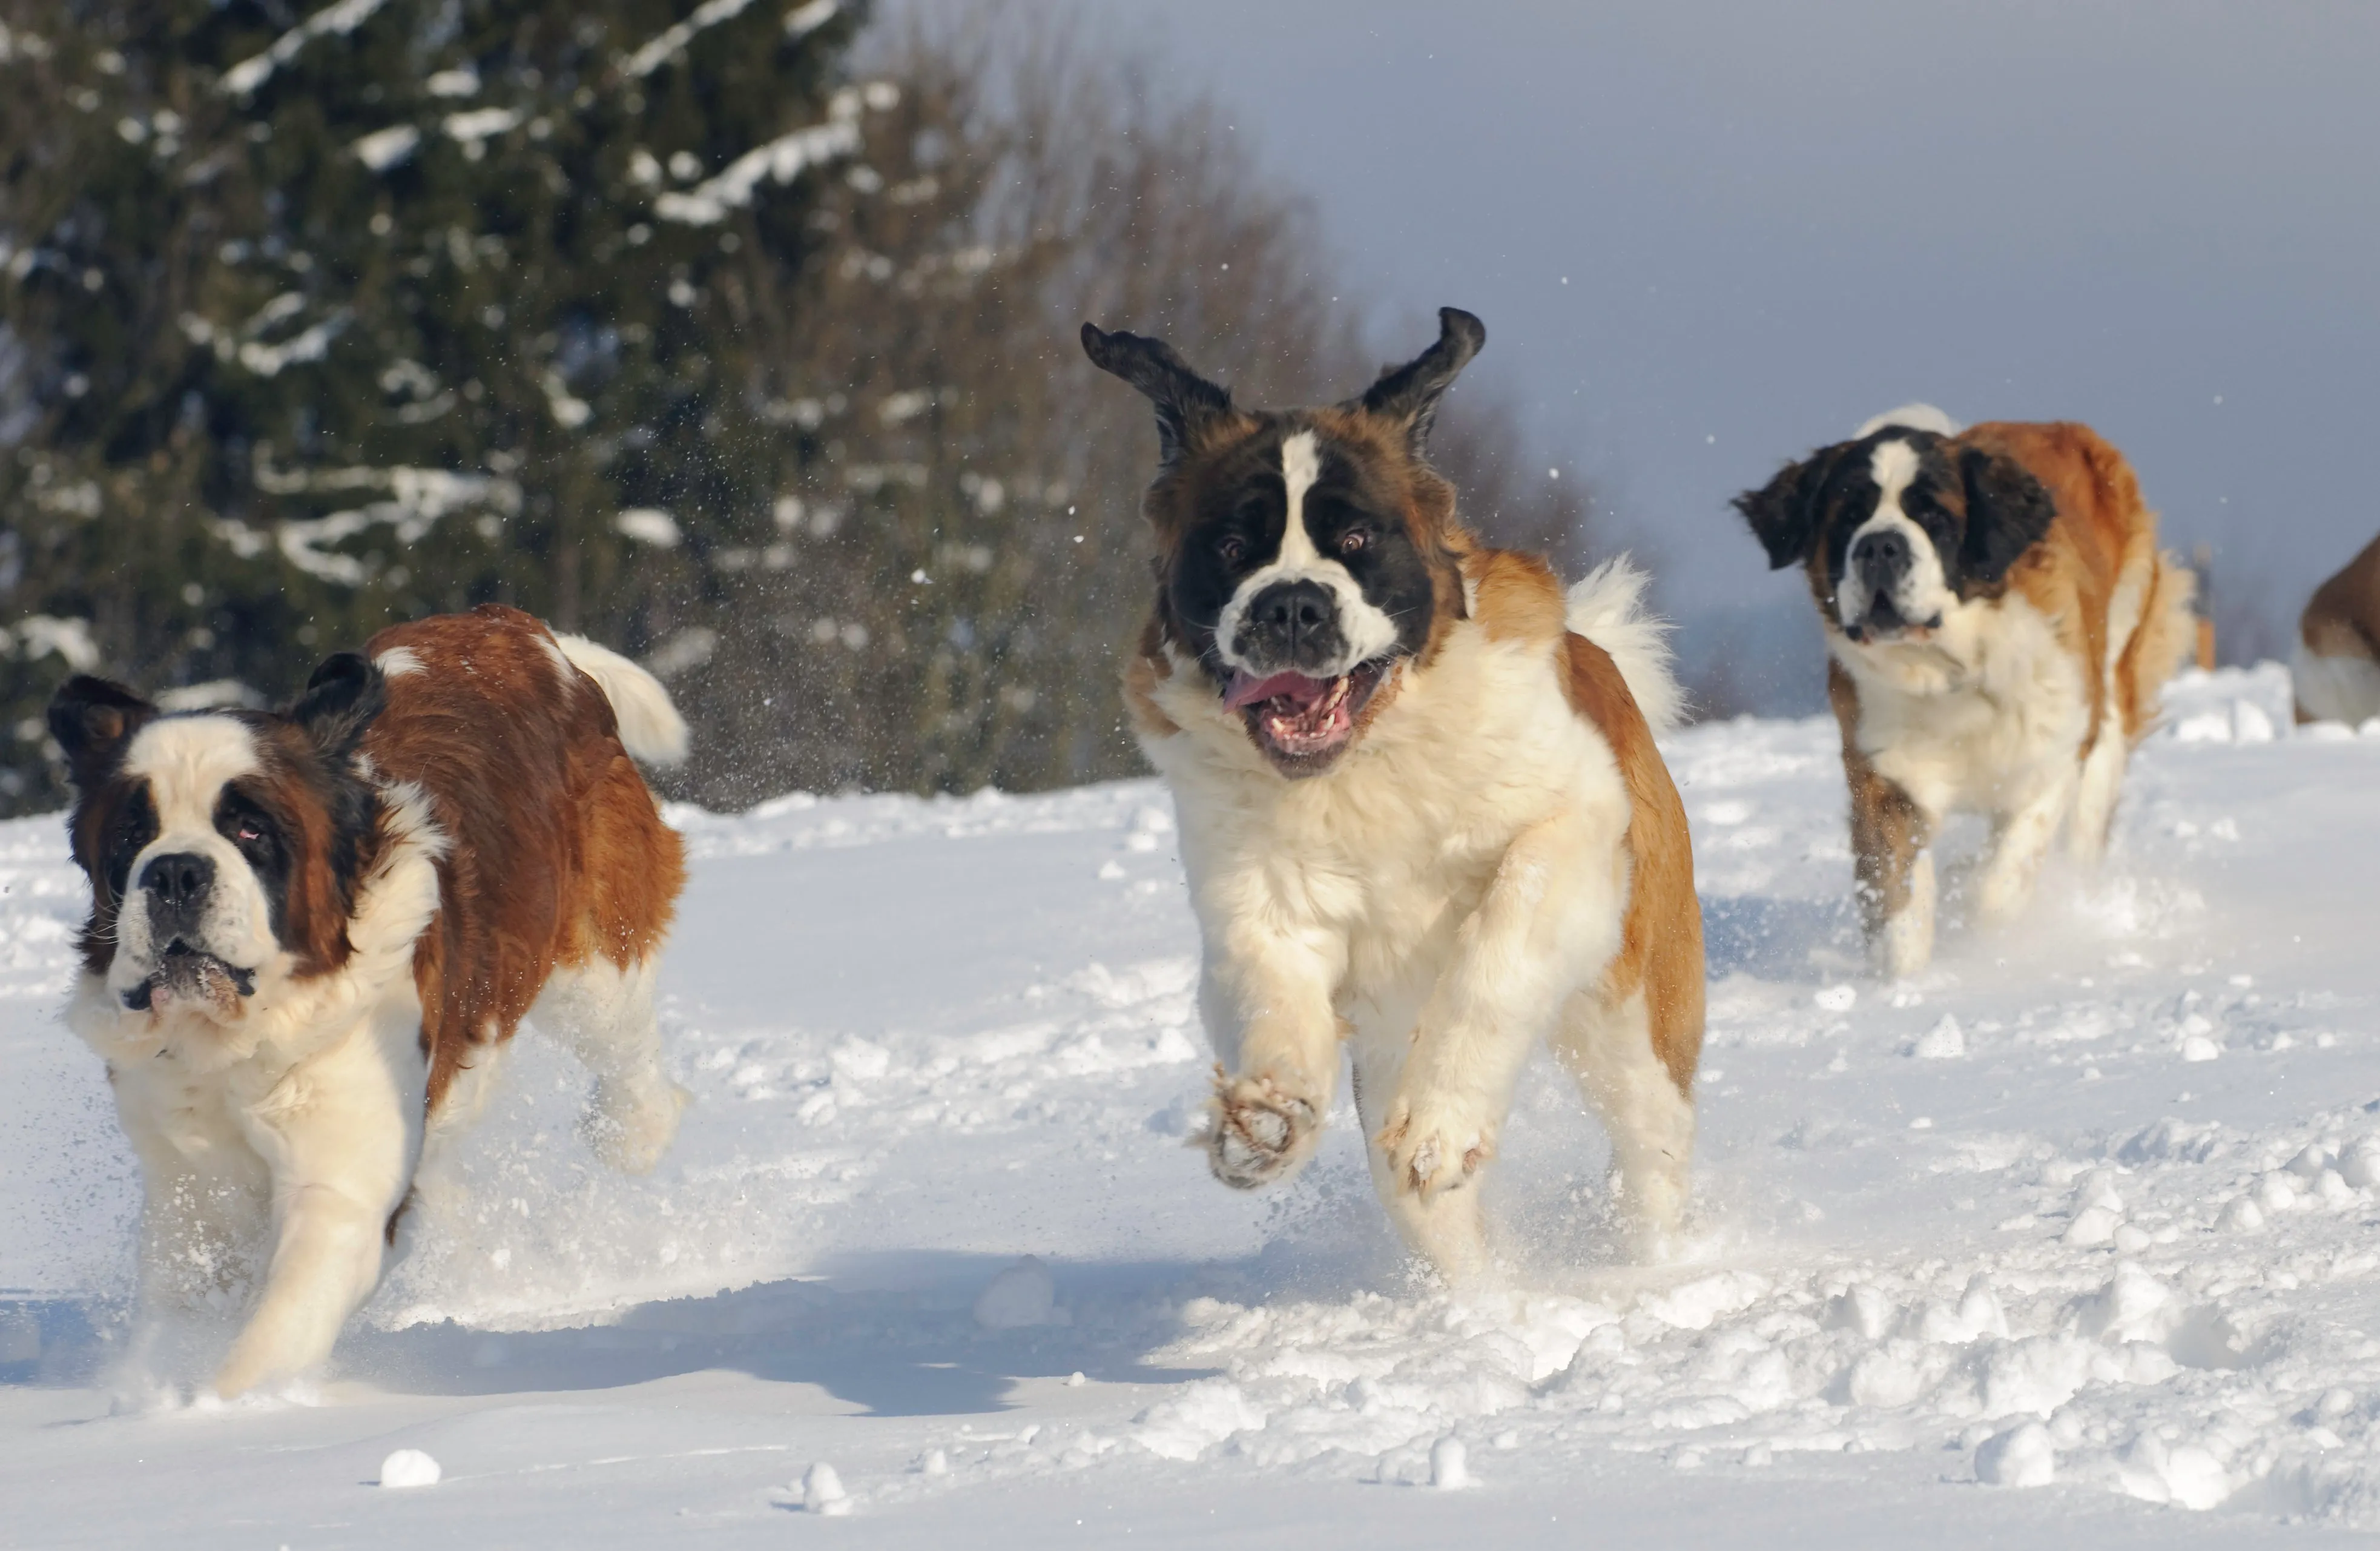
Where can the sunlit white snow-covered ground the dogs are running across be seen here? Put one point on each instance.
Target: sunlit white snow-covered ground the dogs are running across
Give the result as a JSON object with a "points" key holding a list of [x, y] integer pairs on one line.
{"points": [[2084, 1202]]}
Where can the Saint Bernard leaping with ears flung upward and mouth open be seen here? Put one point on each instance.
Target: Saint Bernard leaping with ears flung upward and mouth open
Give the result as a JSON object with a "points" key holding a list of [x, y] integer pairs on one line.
{"points": [[1420, 802]]}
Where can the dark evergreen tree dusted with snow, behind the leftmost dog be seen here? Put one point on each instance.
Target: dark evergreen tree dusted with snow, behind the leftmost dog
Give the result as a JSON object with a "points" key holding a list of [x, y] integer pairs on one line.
{"points": [[399, 306]]}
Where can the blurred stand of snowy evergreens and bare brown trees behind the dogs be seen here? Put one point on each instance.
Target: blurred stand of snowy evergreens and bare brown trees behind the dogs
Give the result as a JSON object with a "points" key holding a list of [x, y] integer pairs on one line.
{"points": [[734, 335]]}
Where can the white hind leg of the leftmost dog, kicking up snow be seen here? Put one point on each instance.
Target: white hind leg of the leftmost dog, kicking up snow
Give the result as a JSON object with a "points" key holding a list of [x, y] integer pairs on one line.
{"points": [[603, 1016]]}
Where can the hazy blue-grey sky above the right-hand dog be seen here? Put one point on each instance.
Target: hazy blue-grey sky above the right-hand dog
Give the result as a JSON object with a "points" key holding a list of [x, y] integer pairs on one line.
{"points": [[1708, 237]]}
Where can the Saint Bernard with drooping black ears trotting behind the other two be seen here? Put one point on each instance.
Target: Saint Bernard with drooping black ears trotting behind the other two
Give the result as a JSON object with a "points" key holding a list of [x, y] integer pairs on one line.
{"points": [[1998, 623]]}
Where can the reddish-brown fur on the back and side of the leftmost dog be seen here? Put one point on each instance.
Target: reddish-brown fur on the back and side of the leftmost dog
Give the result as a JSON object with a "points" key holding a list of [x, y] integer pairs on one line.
{"points": [[556, 854]]}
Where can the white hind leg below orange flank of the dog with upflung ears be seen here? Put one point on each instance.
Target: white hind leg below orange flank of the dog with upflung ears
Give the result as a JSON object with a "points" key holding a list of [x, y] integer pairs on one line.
{"points": [[1608, 1047]]}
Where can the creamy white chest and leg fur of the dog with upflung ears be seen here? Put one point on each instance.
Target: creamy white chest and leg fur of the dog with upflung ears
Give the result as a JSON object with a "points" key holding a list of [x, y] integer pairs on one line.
{"points": [[1448, 895]]}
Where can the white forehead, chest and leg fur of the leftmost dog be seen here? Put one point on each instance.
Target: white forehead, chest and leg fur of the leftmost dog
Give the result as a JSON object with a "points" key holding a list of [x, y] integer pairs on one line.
{"points": [[277, 1147]]}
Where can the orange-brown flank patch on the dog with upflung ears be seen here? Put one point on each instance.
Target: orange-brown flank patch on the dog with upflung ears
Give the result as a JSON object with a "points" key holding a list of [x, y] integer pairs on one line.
{"points": [[1662, 933]]}
